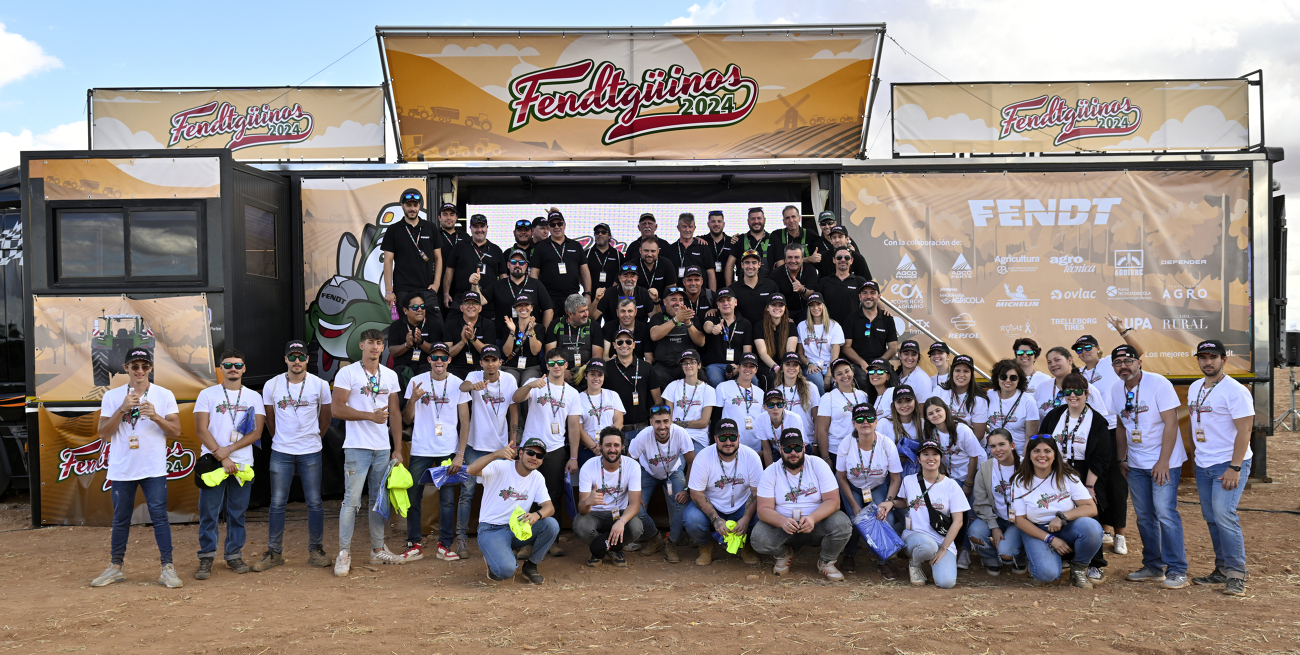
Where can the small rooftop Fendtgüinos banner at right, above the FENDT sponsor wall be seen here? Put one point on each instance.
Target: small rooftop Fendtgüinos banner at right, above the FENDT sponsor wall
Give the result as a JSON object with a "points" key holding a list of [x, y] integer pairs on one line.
{"points": [[1071, 118]]}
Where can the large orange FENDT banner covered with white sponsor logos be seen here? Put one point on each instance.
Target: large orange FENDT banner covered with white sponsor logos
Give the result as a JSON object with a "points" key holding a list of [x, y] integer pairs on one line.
{"points": [[985, 258]]}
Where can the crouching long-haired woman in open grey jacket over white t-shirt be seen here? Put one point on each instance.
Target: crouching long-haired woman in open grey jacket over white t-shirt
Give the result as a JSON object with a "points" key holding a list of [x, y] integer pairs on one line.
{"points": [[994, 533]]}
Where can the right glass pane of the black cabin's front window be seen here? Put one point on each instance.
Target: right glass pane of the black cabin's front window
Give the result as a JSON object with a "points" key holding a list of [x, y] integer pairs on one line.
{"points": [[164, 244]]}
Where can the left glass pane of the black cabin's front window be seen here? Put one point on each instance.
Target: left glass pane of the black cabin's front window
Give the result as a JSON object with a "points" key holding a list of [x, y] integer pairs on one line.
{"points": [[90, 245]]}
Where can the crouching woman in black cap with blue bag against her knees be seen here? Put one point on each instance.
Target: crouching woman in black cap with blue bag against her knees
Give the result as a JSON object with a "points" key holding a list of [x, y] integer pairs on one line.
{"points": [[868, 466]]}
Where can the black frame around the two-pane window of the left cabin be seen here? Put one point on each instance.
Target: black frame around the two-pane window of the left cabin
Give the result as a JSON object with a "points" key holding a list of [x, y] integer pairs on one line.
{"points": [[59, 281]]}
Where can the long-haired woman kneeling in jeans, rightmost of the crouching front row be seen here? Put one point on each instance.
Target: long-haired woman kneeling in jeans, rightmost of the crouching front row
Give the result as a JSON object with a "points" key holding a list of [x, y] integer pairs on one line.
{"points": [[1056, 514]]}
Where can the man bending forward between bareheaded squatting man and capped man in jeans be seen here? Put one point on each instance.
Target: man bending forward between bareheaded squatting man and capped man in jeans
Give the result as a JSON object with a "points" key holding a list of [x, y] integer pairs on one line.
{"points": [[660, 449]]}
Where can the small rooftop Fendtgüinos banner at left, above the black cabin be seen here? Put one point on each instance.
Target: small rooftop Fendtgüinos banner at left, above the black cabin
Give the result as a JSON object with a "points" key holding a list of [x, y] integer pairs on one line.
{"points": [[255, 124]]}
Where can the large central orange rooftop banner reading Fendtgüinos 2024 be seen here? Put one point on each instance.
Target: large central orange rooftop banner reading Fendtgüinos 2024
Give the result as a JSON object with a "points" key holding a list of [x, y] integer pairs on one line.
{"points": [[668, 94]]}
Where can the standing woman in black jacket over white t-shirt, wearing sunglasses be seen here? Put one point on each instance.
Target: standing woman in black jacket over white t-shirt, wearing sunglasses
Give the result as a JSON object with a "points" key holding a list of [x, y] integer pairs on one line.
{"points": [[1087, 446]]}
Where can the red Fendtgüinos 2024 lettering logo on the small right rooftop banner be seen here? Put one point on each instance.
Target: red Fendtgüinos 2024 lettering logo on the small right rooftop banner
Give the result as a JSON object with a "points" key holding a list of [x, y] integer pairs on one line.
{"points": [[1112, 119]]}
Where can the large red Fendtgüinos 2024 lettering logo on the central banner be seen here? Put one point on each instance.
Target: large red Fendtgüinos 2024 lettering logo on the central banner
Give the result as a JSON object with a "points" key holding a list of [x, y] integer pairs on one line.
{"points": [[705, 99]]}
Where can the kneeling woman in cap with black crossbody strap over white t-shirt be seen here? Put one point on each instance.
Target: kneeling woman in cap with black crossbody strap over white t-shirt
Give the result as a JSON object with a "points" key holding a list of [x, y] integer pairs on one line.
{"points": [[924, 544]]}
